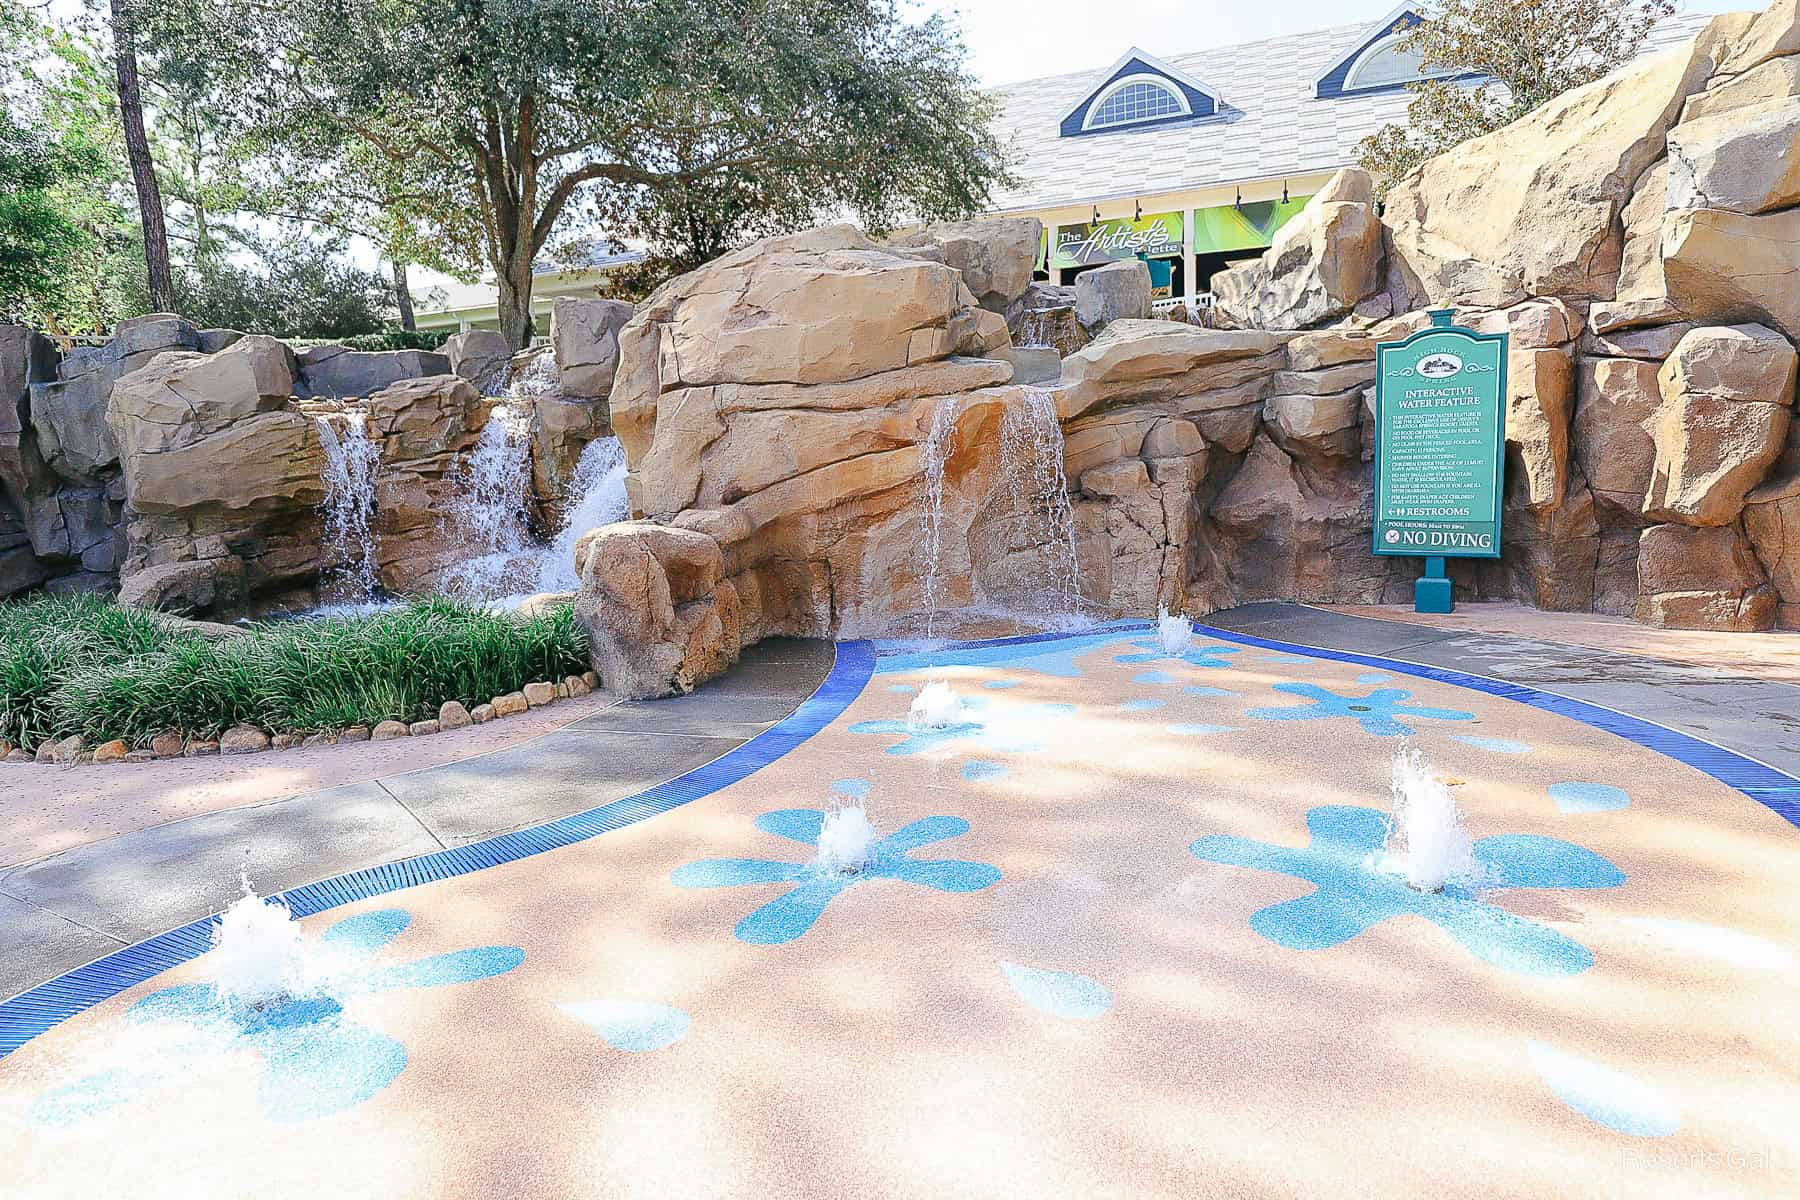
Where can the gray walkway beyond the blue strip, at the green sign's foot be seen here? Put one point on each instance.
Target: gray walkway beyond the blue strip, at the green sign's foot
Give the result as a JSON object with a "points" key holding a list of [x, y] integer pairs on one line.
{"points": [[1722, 704]]}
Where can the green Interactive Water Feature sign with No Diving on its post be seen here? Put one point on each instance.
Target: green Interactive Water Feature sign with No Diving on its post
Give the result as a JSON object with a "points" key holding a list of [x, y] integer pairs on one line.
{"points": [[1441, 438]]}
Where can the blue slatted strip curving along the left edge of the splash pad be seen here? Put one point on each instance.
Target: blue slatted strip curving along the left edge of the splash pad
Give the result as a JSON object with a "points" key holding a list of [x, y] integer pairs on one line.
{"points": [[49, 1005]]}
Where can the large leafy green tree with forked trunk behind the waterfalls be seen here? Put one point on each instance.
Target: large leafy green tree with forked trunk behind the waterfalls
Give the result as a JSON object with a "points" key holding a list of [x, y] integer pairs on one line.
{"points": [[501, 121]]}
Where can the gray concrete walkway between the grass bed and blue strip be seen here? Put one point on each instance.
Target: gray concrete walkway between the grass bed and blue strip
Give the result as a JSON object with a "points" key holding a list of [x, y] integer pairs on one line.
{"points": [[67, 909]]}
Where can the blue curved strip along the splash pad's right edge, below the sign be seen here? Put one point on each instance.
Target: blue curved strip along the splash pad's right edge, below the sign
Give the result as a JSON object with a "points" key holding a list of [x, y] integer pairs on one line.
{"points": [[1774, 789]]}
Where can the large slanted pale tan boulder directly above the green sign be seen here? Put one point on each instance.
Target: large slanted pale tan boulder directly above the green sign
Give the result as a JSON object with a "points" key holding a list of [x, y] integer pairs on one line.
{"points": [[1466, 229]]}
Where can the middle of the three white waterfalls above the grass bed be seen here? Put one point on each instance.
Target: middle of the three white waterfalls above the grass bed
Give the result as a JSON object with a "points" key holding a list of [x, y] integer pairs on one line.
{"points": [[490, 501]]}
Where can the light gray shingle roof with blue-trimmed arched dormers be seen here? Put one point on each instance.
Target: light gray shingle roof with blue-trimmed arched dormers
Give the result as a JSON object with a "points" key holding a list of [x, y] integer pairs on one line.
{"points": [[1272, 127]]}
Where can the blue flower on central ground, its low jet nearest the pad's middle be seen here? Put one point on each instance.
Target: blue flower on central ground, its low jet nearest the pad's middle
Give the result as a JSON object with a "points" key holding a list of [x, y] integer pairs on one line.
{"points": [[793, 913]]}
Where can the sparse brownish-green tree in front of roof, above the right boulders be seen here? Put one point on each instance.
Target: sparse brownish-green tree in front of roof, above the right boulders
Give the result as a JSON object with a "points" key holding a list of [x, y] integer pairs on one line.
{"points": [[1527, 55]]}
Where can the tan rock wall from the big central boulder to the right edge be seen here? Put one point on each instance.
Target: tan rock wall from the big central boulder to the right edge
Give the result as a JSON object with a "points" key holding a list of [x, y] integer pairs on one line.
{"points": [[789, 400]]}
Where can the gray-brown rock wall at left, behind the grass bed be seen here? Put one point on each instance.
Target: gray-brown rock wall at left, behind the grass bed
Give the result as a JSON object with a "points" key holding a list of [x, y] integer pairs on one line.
{"points": [[213, 508]]}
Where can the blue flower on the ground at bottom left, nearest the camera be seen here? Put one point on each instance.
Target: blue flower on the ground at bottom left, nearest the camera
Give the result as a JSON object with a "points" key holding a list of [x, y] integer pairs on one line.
{"points": [[316, 1062]]}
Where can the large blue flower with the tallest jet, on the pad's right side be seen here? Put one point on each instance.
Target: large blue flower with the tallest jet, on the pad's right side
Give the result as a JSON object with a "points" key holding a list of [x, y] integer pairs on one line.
{"points": [[1353, 895]]}
